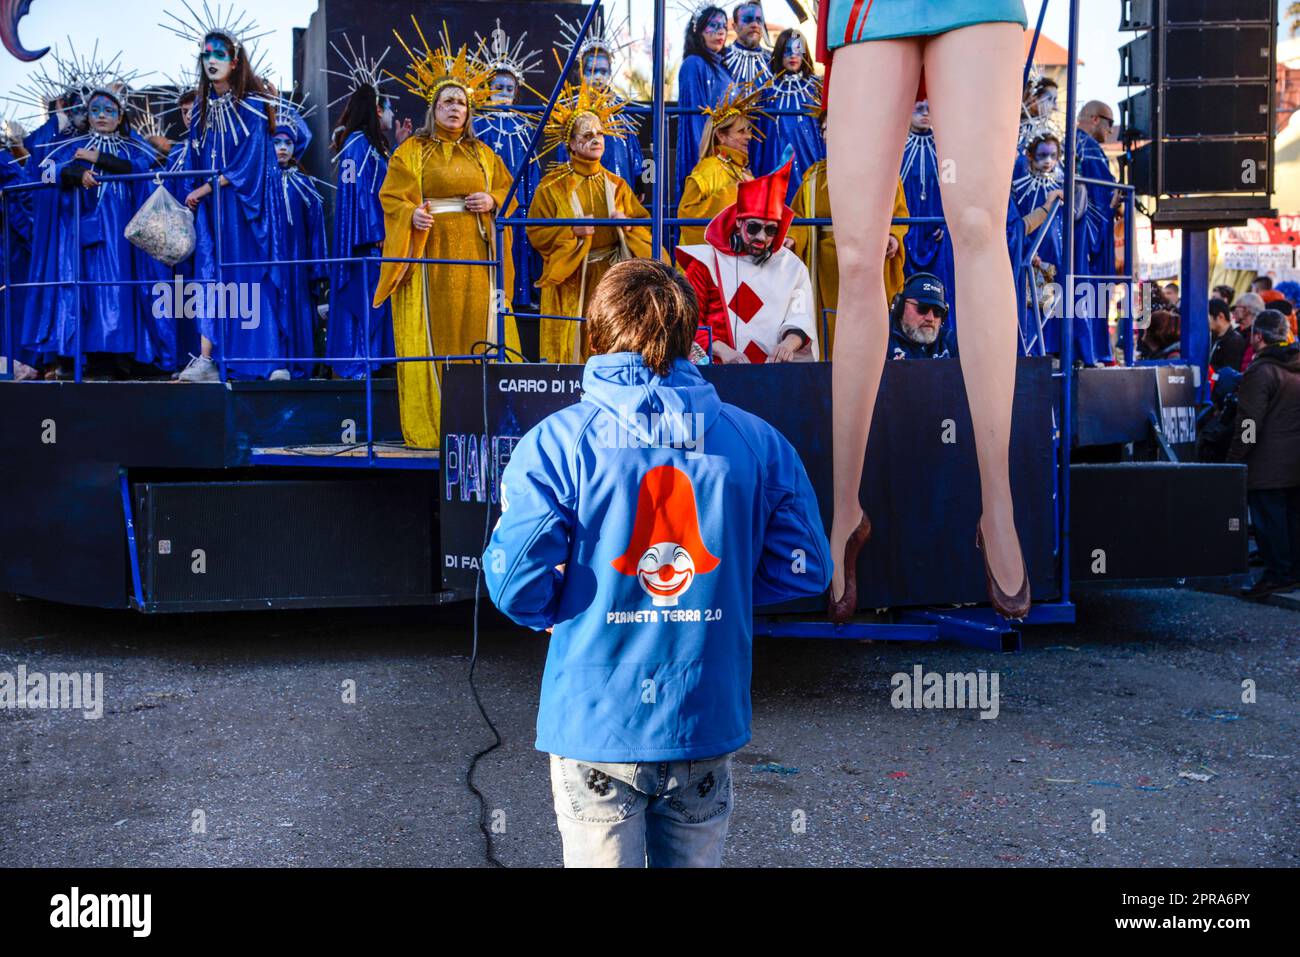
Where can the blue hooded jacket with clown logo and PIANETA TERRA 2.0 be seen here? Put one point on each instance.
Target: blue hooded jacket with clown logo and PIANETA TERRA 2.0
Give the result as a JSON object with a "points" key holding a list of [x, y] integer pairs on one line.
{"points": [[674, 514]]}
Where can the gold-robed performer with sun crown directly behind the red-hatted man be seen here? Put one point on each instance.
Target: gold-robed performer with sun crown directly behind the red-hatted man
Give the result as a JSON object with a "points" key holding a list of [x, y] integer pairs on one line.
{"points": [[723, 161]]}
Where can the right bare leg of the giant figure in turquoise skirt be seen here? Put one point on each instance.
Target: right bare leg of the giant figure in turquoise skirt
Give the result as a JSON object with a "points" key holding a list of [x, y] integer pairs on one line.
{"points": [[973, 77]]}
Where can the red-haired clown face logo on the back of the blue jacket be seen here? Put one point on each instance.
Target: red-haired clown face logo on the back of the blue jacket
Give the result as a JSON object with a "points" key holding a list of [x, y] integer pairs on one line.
{"points": [[666, 551]]}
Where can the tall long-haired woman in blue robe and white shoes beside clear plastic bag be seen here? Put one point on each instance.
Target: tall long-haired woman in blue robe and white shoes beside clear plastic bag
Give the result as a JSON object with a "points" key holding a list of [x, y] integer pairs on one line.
{"points": [[244, 315]]}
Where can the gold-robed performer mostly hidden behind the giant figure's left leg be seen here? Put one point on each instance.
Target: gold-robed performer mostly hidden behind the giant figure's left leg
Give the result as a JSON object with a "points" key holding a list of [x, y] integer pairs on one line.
{"points": [[813, 202]]}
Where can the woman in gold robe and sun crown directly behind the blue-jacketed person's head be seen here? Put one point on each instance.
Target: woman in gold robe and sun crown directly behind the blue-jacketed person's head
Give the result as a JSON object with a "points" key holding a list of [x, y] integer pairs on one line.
{"points": [[577, 258]]}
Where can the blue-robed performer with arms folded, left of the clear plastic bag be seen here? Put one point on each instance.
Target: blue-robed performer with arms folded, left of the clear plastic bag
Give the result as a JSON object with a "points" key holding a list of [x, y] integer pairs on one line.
{"points": [[109, 311]]}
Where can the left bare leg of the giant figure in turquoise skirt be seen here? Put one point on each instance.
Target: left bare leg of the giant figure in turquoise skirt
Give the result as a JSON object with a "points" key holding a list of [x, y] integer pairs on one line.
{"points": [[874, 92]]}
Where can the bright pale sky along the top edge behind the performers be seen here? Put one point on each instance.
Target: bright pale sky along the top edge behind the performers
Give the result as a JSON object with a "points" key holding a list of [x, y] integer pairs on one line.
{"points": [[132, 27]]}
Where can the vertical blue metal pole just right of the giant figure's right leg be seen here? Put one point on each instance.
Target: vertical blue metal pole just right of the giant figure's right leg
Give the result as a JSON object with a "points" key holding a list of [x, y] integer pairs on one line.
{"points": [[1068, 379]]}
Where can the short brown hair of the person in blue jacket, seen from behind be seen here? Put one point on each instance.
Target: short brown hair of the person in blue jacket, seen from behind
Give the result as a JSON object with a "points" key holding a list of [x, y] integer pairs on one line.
{"points": [[648, 308]]}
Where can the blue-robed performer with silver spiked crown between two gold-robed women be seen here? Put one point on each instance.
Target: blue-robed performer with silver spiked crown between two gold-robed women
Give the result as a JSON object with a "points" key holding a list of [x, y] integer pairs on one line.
{"points": [[509, 136]]}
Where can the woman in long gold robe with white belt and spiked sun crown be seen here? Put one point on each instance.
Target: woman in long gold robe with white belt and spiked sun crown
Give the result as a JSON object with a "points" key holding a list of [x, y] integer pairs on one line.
{"points": [[440, 198]]}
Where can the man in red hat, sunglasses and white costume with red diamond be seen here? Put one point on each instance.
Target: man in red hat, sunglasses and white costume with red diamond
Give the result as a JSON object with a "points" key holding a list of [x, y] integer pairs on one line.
{"points": [[756, 296]]}
